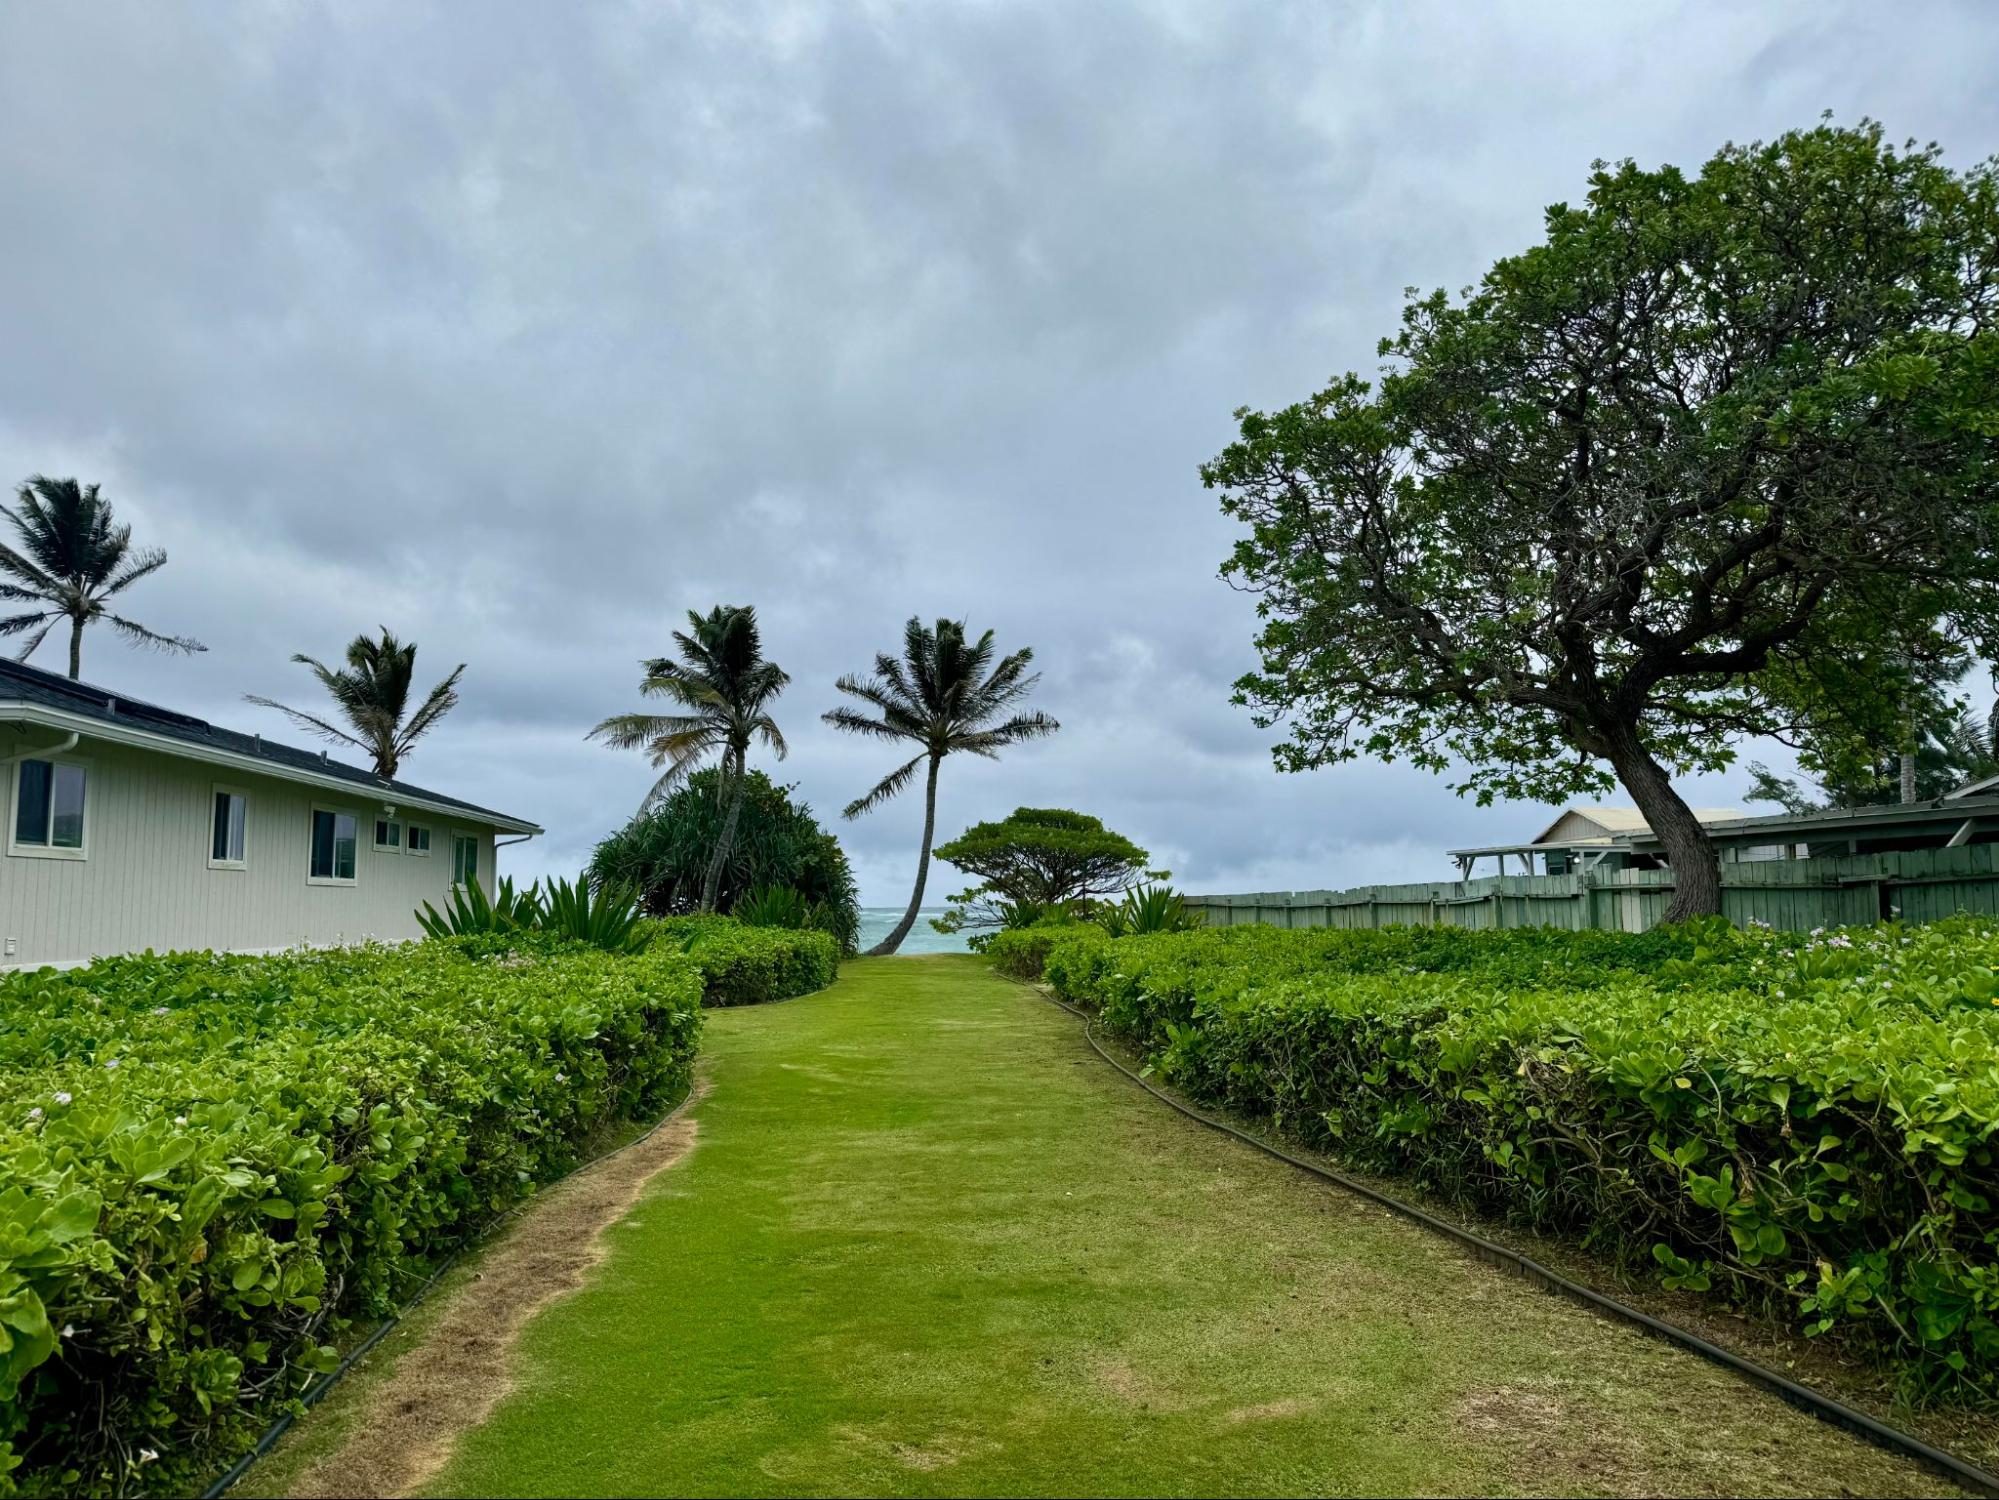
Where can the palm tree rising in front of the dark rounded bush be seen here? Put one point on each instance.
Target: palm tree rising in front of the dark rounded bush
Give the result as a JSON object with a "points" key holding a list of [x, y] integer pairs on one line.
{"points": [[725, 689]]}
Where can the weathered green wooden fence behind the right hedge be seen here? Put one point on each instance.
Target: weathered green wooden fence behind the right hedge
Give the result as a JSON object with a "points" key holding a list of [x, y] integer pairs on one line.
{"points": [[1796, 895]]}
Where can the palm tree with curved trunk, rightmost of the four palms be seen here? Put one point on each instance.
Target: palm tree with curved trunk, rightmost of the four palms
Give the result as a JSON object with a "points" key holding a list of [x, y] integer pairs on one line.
{"points": [[943, 699]]}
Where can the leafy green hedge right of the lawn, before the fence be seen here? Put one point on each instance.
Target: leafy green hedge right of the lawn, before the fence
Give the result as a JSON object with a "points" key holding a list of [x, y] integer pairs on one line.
{"points": [[1800, 1125]]}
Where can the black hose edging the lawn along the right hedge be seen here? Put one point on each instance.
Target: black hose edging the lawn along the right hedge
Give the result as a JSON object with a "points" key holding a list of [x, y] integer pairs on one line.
{"points": [[1804, 1397]]}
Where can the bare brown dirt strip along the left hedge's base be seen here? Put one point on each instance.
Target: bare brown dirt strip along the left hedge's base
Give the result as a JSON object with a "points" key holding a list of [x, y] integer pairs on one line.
{"points": [[463, 1369]]}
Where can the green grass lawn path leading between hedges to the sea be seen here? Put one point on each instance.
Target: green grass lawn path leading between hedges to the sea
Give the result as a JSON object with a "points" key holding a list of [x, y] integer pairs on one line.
{"points": [[931, 1245]]}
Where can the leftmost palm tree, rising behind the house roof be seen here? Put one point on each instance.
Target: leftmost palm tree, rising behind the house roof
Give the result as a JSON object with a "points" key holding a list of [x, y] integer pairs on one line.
{"points": [[73, 557]]}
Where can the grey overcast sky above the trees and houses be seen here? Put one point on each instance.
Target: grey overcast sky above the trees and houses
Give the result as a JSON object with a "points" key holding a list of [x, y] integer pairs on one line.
{"points": [[525, 329]]}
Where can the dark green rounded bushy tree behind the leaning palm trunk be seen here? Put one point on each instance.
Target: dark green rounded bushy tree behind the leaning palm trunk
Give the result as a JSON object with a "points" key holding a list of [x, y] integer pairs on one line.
{"points": [[665, 853]]}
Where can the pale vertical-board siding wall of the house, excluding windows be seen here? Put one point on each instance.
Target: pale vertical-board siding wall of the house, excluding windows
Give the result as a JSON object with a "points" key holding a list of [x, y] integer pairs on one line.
{"points": [[147, 881]]}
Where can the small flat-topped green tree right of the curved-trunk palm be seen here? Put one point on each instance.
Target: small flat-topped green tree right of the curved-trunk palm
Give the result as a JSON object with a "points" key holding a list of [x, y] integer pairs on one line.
{"points": [[1036, 859]]}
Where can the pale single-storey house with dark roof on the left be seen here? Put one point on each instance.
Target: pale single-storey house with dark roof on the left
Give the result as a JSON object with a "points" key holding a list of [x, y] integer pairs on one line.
{"points": [[135, 827]]}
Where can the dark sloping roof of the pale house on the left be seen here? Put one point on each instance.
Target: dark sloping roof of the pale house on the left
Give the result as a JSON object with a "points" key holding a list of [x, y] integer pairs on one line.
{"points": [[31, 695]]}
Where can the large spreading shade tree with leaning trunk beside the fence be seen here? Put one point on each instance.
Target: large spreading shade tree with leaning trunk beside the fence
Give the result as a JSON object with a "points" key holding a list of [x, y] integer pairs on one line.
{"points": [[1712, 457]]}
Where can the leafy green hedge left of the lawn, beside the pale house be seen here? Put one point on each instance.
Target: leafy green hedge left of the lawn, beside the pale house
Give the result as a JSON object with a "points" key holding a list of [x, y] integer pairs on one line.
{"points": [[213, 1163]]}
